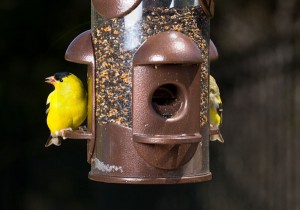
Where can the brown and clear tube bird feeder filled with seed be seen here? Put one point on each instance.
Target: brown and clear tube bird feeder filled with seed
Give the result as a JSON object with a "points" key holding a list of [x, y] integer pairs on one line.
{"points": [[148, 73]]}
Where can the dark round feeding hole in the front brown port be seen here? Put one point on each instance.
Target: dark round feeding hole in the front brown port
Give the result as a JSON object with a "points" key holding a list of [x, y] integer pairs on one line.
{"points": [[167, 100]]}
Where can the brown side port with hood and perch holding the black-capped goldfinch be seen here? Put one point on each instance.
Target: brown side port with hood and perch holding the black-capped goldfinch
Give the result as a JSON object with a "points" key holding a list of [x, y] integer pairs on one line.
{"points": [[81, 51]]}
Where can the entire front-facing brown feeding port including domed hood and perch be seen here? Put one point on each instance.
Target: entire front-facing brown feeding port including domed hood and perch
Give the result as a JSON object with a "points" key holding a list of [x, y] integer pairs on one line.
{"points": [[166, 110]]}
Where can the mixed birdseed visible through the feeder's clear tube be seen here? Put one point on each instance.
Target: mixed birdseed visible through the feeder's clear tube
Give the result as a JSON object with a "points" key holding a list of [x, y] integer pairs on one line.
{"points": [[115, 46]]}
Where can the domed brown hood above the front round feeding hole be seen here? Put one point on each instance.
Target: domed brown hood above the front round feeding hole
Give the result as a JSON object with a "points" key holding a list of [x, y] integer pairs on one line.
{"points": [[169, 47]]}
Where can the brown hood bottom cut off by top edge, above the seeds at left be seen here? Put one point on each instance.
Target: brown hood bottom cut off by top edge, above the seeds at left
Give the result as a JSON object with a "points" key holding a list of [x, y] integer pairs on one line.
{"points": [[115, 8]]}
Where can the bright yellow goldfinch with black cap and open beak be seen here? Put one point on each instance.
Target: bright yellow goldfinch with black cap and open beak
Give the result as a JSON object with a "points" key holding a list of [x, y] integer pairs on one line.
{"points": [[66, 105]]}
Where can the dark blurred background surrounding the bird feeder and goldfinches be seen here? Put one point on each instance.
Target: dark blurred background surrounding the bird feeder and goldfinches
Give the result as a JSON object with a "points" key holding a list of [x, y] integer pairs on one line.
{"points": [[258, 73]]}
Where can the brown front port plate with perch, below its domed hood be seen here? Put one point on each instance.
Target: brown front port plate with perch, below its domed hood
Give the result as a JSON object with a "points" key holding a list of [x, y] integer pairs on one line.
{"points": [[181, 129]]}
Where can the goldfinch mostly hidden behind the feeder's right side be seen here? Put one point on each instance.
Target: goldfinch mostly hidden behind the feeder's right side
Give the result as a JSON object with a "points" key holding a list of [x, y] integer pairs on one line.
{"points": [[215, 110]]}
